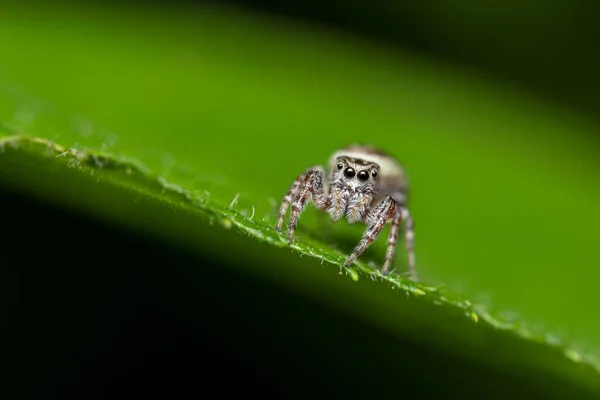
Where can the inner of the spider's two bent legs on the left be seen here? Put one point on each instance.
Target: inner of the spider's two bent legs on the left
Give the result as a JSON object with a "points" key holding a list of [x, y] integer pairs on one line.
{"points": [[311, 187]]}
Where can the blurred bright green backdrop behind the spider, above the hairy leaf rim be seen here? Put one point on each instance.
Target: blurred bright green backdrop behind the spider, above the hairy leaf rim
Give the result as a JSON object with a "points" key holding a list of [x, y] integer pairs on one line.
{"points": [[504, 181]]}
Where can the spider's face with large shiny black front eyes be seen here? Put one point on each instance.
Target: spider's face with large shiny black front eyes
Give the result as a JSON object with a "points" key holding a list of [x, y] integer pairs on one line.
{"points": [[355, 172]]}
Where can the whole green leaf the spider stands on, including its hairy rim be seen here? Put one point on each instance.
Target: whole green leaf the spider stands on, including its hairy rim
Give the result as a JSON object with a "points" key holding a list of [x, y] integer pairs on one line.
{"points": [[192, 131]]}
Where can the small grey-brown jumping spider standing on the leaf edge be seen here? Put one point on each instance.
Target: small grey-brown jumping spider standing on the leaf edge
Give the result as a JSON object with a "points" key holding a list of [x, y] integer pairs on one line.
{"points": [[365, 185]]}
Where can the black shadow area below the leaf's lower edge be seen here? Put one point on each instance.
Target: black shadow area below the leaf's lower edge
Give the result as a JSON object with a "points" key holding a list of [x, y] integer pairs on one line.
{"points": [[98, 313]]}
